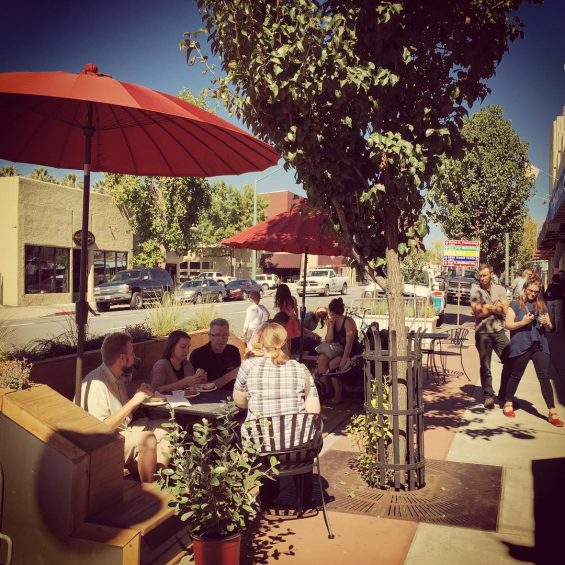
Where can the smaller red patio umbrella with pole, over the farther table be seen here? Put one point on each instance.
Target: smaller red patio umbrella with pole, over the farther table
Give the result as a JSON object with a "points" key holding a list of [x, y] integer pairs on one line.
{"points": [[301, 230]]}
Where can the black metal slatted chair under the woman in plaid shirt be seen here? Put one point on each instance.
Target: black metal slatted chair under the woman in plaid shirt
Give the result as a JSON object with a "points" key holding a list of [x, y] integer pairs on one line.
{"points": [[295, 440]]}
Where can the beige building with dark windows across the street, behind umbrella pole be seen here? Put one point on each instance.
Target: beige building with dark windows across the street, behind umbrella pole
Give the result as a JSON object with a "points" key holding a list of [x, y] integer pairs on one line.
{"points": [[40, 253]]}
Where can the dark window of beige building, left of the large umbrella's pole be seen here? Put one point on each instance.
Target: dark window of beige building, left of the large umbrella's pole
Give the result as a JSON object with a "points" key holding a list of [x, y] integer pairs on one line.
{"points": [[46, 269]]}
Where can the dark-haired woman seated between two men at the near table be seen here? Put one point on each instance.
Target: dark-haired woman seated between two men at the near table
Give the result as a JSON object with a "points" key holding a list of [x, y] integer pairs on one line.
{"points": [[174, 371]]}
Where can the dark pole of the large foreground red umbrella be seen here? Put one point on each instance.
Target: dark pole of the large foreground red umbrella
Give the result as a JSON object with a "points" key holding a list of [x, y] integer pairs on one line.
{"points": [[82, 304]]}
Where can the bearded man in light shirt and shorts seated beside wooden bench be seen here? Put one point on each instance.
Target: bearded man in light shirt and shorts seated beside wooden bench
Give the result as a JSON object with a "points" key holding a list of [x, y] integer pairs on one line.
{"points": [[104, 395]]}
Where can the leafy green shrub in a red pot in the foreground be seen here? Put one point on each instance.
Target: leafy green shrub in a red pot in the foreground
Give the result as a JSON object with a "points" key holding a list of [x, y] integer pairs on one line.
{"points": [[214, 479]]}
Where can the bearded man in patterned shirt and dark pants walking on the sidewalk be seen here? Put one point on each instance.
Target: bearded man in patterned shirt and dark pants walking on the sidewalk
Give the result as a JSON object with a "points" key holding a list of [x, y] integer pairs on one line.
{"points": [[489, 305]]}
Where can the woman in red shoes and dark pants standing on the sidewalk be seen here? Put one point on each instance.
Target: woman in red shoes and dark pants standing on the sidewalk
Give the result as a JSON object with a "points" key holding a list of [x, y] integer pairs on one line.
{"points": [[528, 321]]}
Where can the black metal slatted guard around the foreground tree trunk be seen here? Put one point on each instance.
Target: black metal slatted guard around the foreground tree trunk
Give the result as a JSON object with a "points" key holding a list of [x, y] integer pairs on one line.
{"points": [[381, 367]]}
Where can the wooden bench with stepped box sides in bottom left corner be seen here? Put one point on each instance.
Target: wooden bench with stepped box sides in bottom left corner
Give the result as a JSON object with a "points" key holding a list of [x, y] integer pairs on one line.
{"points": [[64, 496]]}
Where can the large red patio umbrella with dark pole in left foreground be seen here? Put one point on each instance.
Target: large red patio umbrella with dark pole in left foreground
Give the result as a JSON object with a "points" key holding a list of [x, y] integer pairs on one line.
{"points": [[91, 120]]}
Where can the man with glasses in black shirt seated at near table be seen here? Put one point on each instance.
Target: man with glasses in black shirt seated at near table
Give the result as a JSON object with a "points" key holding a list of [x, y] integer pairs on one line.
{"points": [[220, 360]]}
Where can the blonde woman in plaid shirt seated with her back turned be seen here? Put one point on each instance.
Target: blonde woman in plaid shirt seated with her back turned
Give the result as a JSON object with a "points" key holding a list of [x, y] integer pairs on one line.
{"points": [[273, 385]]}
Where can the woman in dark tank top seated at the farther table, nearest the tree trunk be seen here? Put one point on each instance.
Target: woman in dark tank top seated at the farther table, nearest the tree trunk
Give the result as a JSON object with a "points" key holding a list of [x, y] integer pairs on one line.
{"points": [[342, 333]]}
